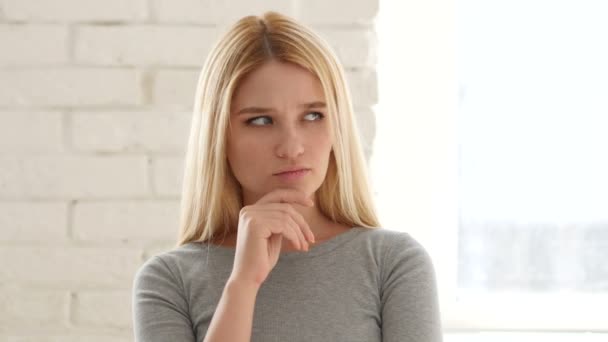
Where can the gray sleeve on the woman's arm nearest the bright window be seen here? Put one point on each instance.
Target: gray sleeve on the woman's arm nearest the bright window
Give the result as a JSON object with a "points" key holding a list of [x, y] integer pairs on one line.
{"points": [[410, 308]]}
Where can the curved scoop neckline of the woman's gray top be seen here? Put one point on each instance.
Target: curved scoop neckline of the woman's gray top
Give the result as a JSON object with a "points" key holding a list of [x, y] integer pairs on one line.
{"points": [[315, 250]]}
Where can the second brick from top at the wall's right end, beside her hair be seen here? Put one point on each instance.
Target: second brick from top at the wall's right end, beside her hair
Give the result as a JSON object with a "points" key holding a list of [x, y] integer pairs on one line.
{"points": [[354, 47]]}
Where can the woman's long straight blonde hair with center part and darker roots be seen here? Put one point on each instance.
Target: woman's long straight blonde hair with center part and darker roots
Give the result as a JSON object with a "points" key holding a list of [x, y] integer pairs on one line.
{"points": [[211, 196]]}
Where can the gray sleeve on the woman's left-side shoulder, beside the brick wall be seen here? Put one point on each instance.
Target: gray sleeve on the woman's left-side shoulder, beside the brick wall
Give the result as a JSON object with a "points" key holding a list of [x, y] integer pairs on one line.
{"points": [[160, 308]]}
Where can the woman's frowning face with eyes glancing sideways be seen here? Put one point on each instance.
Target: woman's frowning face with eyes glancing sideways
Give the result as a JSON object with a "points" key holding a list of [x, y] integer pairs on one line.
{"points": [[278, 122]]}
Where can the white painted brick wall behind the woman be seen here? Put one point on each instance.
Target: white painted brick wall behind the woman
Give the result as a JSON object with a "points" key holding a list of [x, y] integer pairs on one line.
{"points": [[95, 108]]}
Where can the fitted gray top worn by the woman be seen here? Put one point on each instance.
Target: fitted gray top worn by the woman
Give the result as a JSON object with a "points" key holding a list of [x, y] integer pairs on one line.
{"points": [[362, 285]]}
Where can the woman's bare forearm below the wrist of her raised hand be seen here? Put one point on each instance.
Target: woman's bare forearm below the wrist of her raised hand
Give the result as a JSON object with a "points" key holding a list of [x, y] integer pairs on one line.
{"points": [[233, 317]]}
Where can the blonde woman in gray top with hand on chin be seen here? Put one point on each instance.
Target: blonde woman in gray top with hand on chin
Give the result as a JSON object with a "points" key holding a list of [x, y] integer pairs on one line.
{"points": [[279, 240]]}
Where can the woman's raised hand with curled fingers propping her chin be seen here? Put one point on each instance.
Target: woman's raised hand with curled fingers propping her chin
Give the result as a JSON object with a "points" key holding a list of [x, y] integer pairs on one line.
{"points": [[261, 229]]}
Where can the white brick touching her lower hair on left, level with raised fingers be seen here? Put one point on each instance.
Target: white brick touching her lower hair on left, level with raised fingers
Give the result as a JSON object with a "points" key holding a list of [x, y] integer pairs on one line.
{"points": [[126, 220]]}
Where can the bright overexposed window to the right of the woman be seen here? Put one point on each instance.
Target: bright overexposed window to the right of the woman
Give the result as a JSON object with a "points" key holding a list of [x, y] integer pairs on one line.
{"points": [[492, 151]]}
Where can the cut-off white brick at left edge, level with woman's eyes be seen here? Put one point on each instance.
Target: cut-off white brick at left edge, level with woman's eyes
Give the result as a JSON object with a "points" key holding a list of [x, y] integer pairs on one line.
{"points": [[31, 132]]}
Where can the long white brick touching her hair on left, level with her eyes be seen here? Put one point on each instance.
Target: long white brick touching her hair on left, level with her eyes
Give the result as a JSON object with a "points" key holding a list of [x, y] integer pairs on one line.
{"points": [[130, 131]]}
